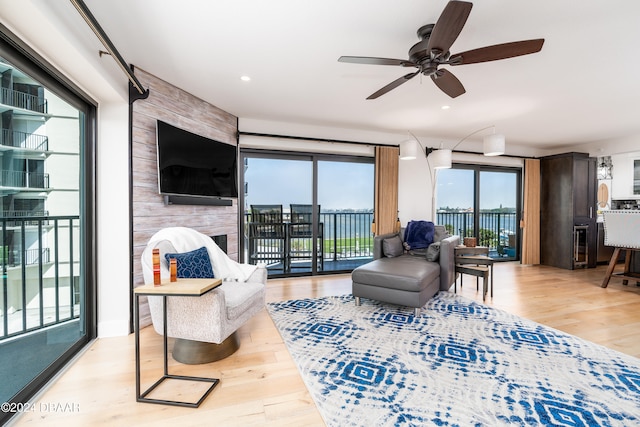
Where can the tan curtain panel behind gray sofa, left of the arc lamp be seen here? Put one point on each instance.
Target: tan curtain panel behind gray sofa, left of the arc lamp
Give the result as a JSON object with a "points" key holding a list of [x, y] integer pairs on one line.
{"points": [[386, 190]]}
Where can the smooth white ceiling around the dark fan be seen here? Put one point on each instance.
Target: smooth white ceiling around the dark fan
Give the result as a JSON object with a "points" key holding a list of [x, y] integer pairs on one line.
{"points": [[584, 85]]}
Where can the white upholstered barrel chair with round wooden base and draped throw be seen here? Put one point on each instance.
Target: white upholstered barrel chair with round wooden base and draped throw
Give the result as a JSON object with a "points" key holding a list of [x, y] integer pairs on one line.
{"points": [[204, 327]]}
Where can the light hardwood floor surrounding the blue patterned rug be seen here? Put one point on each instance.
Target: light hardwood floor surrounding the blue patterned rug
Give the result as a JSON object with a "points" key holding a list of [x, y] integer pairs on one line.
{"points": [[260, 384]]}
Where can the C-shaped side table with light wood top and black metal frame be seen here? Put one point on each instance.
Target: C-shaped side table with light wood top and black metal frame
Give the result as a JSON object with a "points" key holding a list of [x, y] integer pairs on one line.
{"points": [[186, 288]]}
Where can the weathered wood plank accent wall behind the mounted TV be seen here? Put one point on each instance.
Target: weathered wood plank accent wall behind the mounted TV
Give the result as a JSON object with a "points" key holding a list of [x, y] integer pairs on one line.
{"points": [[149, 212]]}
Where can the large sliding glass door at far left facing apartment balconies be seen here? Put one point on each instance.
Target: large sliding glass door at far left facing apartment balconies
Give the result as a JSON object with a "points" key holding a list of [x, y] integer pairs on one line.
{"points": [[46, 297]]}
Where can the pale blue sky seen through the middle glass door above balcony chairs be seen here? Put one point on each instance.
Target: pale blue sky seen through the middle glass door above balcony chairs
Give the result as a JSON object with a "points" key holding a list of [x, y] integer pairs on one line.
{"points": [[341, 185]]}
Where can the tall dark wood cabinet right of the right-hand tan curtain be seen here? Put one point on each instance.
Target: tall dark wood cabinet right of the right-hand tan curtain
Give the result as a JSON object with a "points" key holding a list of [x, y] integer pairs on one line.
{"points": [[568, 233]]}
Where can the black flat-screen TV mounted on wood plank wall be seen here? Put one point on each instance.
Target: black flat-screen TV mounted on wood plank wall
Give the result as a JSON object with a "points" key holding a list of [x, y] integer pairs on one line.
{"points": [[190, 164]]}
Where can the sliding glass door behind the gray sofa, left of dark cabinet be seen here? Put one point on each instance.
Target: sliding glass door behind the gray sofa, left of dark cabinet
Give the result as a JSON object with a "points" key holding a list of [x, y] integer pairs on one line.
{"points": [[482, 202]]}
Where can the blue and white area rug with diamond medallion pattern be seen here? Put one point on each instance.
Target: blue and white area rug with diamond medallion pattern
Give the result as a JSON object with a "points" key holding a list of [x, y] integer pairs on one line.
{"points": [[458, 364]]}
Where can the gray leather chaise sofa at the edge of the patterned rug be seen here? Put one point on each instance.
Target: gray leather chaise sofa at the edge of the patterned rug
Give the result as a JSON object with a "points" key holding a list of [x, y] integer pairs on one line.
{"points": [[408, 278]]}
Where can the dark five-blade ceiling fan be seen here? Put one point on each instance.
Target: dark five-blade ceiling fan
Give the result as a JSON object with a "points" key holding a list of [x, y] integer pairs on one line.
{"points": [[433, 50]]}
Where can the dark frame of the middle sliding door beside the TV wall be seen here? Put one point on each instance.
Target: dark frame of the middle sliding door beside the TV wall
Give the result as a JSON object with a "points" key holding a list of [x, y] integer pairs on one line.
{"points": [[314, 158]]}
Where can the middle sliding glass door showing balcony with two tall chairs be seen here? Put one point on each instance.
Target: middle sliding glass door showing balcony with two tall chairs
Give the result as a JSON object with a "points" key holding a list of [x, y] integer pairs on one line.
{"points": [[306, 213]]}
